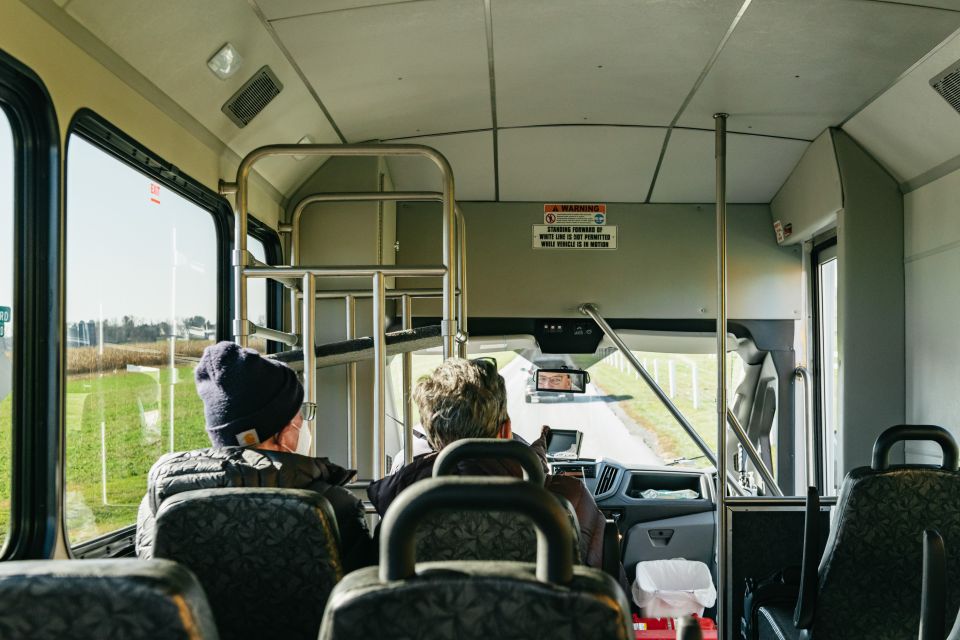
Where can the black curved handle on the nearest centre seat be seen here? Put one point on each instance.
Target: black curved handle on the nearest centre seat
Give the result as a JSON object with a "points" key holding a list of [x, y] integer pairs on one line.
{"points": [[554, 538]]}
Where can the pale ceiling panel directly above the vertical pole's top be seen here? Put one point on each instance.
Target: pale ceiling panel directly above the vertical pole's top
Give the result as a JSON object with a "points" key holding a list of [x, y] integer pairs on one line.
{"points": [[795, 68]]}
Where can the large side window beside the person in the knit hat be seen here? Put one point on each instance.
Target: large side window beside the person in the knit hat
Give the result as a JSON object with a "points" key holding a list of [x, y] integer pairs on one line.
{"points": [[141, 306]]}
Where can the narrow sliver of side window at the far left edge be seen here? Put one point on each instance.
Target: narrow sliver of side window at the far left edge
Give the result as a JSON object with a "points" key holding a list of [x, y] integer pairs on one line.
{"points": [[6, 319]]}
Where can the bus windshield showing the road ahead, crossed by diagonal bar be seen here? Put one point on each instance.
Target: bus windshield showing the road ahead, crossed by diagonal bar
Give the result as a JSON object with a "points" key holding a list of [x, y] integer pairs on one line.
{"points": [[619, 416]]}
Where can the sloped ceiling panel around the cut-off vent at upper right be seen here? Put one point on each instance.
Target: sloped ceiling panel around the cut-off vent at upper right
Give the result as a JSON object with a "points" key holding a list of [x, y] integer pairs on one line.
{"points": [[910, 128]]}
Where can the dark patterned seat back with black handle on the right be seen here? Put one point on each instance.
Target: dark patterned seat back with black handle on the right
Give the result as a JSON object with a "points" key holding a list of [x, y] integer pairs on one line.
{"points": [[869, 578]]}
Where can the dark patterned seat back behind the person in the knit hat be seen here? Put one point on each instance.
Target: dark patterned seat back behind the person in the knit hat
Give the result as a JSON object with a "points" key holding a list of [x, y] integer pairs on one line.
{"points": [[267, 558]]}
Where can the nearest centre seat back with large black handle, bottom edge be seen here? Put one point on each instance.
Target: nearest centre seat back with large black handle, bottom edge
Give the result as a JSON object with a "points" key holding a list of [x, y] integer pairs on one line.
{"points": [[470, 600]]}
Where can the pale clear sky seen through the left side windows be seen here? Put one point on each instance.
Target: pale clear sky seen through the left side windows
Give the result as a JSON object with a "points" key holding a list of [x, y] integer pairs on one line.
{"points": [[121, 244]]}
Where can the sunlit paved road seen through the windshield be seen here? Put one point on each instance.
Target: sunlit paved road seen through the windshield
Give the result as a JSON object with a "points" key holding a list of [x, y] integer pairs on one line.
{"points": [[604, 435]]}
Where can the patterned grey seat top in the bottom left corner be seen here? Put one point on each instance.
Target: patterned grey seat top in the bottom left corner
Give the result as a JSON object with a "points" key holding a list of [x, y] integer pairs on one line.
{"points": [[98, 599]]}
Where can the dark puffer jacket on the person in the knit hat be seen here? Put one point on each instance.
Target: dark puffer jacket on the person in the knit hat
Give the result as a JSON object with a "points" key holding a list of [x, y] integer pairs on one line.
{"points": [[245, 467]]}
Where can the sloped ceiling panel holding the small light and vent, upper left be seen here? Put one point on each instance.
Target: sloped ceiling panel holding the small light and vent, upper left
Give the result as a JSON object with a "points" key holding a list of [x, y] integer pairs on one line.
{"points": [[171, 47]]}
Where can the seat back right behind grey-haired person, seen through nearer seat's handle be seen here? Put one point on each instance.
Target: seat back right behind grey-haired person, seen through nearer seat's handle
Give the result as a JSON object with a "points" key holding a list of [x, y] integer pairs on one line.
{"points": [[486, 535]]}
